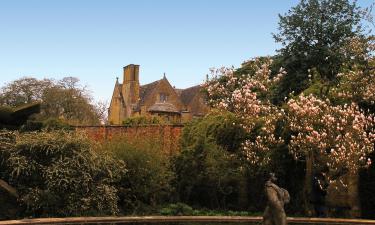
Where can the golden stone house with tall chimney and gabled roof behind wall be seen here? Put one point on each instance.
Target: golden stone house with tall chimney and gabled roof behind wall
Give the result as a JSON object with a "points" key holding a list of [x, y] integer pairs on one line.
{"points": [[159, 98]]}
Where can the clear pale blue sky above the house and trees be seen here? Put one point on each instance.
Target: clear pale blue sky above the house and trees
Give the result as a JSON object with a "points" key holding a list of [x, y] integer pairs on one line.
{"points": [[93, 40]]}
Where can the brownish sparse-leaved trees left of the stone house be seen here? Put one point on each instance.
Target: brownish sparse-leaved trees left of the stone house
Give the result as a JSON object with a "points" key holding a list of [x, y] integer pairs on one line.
{"points": [[64, 99]]}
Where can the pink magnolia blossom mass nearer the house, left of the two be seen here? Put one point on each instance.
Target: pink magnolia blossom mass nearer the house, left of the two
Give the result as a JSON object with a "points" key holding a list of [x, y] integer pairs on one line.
{"points": [[247, 95]]}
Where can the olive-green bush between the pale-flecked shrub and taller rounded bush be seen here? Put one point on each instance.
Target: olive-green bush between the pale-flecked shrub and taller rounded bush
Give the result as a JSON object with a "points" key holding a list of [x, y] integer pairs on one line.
{"points": [[147, 182]]}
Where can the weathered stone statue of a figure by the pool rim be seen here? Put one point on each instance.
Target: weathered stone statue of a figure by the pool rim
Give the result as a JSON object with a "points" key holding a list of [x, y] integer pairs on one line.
{"points": [[277, 197]]}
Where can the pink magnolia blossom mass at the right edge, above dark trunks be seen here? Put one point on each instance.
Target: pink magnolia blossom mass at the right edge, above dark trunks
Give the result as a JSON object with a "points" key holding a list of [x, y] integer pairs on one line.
{"points": [[338, 137]]}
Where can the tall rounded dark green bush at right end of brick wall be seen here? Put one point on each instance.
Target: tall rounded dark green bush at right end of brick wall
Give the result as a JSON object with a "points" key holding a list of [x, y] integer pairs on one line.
{"points": [[209, 173]]}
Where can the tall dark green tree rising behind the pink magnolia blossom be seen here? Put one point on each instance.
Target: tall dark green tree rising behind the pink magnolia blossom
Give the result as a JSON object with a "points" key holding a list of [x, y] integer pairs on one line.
{"points": [[314, 35]]}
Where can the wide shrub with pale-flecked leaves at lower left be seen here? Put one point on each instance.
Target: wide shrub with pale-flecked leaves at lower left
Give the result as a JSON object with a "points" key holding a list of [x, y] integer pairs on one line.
{"points": [[43, 165]]}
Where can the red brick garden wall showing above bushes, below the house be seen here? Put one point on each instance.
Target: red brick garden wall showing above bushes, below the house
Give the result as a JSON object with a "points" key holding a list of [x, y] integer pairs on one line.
{"points": [[169, 135]]}
